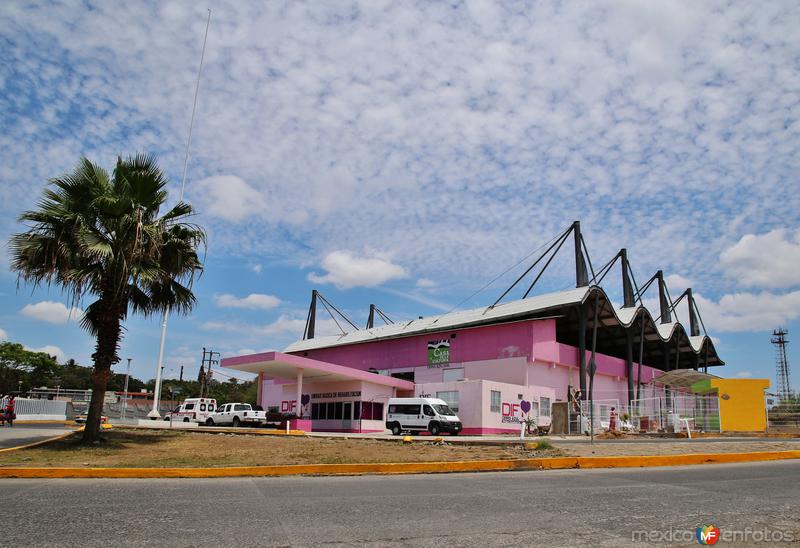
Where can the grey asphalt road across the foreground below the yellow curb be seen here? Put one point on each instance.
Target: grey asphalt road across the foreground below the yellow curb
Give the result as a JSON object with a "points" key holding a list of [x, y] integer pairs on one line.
{"points": [[554, 508]]}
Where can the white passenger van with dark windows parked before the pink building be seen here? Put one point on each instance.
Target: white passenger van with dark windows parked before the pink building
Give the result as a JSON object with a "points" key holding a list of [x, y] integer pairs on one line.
{"points": [[420, 414]]}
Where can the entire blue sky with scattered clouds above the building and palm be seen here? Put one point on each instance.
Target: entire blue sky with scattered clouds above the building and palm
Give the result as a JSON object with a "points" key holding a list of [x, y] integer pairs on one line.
{"points": [[408, 153]]}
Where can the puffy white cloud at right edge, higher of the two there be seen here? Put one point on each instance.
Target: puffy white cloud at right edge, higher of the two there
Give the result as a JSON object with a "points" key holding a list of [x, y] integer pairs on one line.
{"points": [[770, 260]]}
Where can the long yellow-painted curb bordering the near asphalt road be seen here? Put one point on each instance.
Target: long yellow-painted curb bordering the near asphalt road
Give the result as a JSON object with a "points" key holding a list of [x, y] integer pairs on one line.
{"points": [[554, 463]]}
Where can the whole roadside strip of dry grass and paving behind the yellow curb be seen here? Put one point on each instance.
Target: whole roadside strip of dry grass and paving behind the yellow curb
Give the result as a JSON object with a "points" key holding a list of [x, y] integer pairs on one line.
{"points": [[164, 448]]}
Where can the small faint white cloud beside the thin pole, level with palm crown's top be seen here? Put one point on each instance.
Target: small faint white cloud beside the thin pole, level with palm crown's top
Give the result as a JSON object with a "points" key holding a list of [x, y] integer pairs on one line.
{"points": [[229, 197]]}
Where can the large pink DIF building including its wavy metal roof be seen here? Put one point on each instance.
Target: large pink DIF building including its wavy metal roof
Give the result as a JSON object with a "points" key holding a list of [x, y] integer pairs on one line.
{"points": [[482, 362]]}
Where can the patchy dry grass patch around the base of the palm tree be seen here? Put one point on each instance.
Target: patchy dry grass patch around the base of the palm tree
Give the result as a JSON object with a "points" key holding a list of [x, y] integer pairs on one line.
{"points": [[164, 448]]}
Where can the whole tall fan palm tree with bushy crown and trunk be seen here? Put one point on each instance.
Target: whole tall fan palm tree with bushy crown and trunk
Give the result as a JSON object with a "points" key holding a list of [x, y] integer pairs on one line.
{"points": [[101, 236]]}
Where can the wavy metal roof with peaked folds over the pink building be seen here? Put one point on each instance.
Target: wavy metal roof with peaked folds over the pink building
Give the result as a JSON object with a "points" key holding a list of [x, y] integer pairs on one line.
{"points": [[564, 304]]}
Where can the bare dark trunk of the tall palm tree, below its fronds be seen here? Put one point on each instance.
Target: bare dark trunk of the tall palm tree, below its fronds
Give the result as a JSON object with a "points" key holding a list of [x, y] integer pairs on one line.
{"points": [[104, 357]]}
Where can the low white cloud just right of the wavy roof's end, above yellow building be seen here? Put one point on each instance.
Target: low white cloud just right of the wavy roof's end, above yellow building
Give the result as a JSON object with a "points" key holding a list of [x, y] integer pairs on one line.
{"points": [[749, 311]]}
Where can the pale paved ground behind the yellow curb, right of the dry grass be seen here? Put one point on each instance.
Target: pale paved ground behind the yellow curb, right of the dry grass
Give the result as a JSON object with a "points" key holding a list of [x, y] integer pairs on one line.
{"points": [[671, 447]]}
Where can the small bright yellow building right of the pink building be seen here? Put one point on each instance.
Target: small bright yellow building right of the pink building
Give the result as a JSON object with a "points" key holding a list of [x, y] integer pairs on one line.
{"points": [[742, 402]]}
